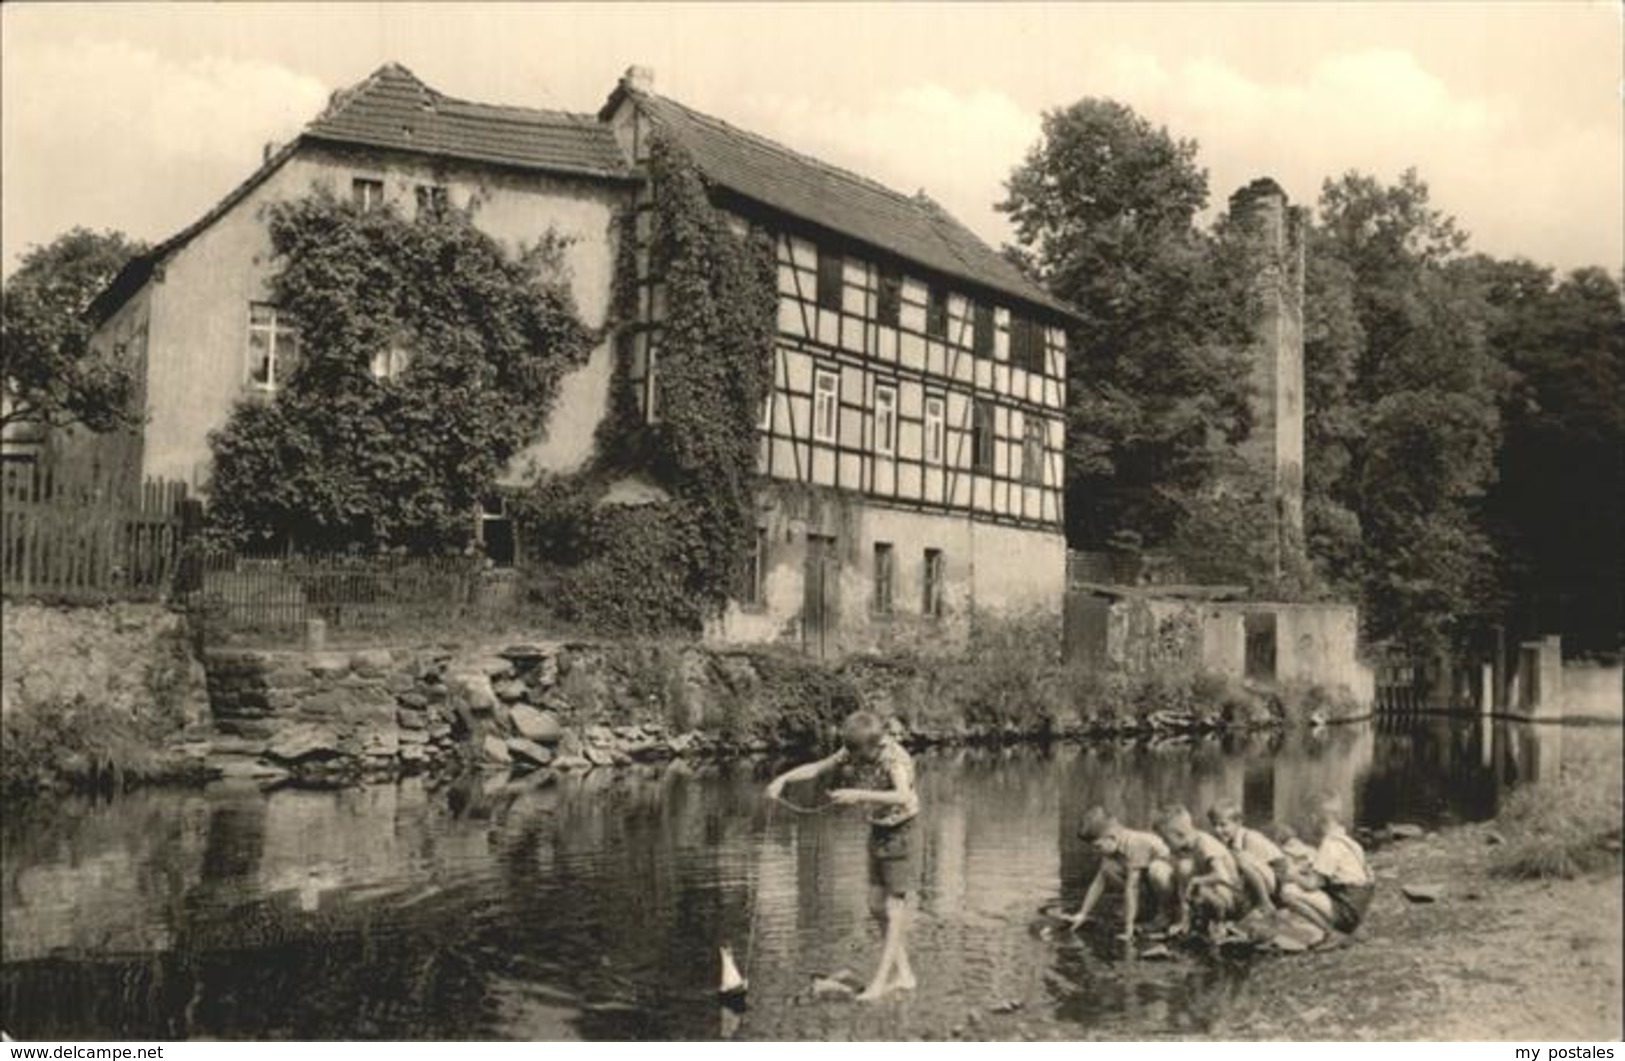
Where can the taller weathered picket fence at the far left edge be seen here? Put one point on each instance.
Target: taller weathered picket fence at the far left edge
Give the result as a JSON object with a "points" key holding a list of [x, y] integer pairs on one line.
{"points": [[85, 534]]}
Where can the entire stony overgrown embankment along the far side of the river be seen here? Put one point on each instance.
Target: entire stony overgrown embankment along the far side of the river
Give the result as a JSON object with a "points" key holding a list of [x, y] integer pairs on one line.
{"points": [[136, 712]]}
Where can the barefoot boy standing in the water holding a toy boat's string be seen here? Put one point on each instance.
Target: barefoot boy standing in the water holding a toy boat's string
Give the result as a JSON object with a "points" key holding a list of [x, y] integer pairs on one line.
{"points": [[877, 771]]}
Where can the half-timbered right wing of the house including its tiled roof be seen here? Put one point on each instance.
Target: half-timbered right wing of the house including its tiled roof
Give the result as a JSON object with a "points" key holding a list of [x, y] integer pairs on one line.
{"points": [[912, 446]]}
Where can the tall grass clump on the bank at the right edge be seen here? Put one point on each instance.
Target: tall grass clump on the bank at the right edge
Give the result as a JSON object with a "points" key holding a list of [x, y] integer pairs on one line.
{"points": [[1566, 828]]}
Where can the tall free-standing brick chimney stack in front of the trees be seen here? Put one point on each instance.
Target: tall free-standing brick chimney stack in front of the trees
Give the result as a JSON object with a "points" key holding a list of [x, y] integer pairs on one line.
{"points": [[1275, 233]]}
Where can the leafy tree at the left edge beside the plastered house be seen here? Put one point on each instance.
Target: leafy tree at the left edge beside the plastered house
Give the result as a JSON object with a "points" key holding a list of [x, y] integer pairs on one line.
{"points": [[53, 376]]}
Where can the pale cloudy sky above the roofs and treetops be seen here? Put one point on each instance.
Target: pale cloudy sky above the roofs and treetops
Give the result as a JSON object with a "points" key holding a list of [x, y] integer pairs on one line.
{"points": [[139, 118]]}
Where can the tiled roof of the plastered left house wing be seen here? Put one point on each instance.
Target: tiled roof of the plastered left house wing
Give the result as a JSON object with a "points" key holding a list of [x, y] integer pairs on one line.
{"points": [[394, 110]]}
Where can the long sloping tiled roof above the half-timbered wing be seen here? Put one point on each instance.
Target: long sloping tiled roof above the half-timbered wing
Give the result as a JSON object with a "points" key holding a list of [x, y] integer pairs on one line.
{"points": [[911, 227]]}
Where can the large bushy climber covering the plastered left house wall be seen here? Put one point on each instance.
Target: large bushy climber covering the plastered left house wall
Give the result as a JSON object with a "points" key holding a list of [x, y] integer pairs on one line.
{"points": [[427, 360]]}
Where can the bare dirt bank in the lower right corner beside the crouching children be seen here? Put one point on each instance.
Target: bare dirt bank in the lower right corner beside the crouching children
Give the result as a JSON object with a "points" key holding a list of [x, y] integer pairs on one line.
{"points": [[1493, 961]]}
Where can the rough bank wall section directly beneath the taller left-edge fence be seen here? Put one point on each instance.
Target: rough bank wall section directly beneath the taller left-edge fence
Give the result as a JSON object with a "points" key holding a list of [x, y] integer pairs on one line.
{"points": [[93, 696]]}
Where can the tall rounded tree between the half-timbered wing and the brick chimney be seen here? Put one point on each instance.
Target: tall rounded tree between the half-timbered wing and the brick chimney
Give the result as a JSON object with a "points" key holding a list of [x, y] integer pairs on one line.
{"points": [[1158, 378]]}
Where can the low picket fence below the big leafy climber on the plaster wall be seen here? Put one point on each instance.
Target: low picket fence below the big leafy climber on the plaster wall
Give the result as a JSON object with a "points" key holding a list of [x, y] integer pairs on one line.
{"points": [[280, 592]]}
